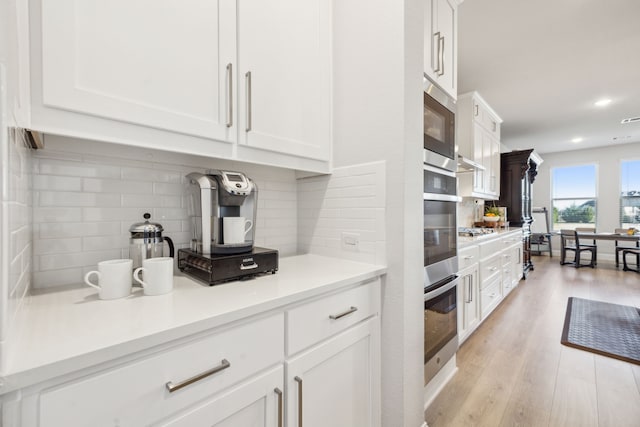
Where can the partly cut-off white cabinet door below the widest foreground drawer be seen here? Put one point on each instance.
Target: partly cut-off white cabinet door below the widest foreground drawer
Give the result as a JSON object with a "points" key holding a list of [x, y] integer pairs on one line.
{"points": [[255, 403]]}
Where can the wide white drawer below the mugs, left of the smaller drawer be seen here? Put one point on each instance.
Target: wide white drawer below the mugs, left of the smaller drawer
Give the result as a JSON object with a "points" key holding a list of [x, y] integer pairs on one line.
{"points": [[137, 393]]}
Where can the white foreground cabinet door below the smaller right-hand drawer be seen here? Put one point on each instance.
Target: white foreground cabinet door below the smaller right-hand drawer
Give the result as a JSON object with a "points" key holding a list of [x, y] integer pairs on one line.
{"points": [[337, 382]]}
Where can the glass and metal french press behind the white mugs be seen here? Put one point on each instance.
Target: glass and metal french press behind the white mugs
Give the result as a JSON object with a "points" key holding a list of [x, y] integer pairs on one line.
{"points": [[147, 241]]}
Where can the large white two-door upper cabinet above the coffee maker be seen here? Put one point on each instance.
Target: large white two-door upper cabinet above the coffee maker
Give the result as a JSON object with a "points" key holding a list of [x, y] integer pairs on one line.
{"points": [[247, 80]]}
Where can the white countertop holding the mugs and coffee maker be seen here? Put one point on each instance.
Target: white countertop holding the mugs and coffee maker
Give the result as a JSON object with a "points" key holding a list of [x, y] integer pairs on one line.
{"points": [[63, 330]]}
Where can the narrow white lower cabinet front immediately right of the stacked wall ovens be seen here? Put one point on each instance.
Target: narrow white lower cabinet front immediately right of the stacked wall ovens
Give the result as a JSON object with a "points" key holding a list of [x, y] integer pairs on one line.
{"points": [[468, 302]]}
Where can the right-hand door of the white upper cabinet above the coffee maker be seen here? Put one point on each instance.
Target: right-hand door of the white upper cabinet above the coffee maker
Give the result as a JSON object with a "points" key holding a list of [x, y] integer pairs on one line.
{"points": [[284, 91]]}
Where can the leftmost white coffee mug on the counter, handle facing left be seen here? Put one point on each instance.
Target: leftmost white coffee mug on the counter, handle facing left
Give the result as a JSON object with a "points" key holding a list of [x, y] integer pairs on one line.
{"points": [[113, 278]]}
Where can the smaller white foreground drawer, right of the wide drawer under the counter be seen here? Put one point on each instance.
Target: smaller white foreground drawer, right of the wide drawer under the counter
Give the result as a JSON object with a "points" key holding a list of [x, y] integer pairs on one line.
{"points": [[312, 322]]}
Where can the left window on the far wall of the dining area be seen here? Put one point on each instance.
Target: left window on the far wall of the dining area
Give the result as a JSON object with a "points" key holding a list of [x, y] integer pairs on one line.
{"points": [[574, 197]]}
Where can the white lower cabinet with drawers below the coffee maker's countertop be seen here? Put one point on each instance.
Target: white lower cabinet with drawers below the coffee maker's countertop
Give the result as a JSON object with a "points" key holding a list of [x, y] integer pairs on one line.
{"points": [[236, 376]]}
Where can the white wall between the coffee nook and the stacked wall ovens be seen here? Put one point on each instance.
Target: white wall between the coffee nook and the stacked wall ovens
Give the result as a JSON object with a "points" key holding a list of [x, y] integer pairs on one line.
{"points": [[378, 51]]}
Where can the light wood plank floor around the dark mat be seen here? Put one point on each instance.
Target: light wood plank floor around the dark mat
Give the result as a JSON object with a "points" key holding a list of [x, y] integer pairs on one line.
{"points": [[513, 371]]}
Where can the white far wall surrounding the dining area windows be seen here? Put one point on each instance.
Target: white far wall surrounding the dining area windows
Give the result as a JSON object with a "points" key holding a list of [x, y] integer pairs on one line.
{"points": [[607, 161]]}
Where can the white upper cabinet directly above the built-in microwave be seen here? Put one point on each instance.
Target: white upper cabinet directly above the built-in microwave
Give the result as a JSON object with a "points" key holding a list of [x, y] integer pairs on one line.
{"points": [[441, 44]]}
